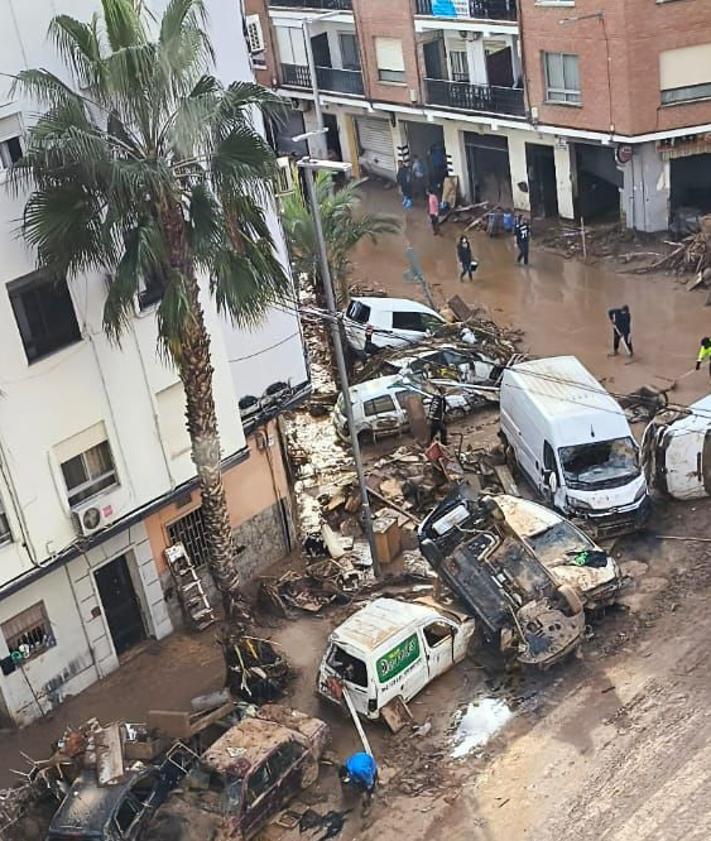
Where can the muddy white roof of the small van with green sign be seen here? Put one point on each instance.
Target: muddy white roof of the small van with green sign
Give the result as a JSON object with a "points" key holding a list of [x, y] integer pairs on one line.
{"points": [[377, 622]]}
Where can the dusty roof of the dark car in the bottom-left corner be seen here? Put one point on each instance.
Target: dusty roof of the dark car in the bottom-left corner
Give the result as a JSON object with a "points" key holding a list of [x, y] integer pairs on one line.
{"points": [[88, 806]]}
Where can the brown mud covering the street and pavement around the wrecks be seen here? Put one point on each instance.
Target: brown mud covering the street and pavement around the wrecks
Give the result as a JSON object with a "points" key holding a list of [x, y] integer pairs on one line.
{"points": [[612, 745]]}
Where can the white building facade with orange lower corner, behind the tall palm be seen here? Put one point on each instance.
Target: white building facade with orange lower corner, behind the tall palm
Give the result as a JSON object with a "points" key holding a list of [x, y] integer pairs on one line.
{"points": [[96, 477]]}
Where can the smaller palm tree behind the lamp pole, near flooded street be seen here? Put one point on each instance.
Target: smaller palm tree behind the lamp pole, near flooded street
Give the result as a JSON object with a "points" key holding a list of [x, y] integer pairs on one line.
{"points": [[344, 226]]}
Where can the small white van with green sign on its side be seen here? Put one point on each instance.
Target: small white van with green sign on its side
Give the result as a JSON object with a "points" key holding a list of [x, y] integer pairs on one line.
{"points": [[391, 648]]}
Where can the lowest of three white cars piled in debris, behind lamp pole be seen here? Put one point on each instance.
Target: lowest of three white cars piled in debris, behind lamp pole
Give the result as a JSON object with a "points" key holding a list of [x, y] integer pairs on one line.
{"points": [[379, 406]]}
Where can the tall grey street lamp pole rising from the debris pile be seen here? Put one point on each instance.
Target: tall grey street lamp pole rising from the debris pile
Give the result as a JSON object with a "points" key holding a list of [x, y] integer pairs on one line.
{"points": [[341, 362]]}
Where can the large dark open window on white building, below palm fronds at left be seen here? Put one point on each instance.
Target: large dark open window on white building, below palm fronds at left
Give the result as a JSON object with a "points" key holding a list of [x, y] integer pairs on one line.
{"points": [[44, 314]]}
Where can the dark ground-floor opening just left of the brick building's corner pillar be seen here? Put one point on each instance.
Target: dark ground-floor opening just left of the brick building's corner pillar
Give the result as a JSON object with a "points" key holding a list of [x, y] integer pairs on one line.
{"points": [[599, 182]]}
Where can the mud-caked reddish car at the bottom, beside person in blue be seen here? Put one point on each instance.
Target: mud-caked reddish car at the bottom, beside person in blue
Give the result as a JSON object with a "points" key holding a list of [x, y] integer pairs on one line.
{"points": [[245, 778]]}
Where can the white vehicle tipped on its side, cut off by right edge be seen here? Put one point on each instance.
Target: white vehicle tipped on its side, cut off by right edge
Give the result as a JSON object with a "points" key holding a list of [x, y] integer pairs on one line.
{"points": [[682, 453]]}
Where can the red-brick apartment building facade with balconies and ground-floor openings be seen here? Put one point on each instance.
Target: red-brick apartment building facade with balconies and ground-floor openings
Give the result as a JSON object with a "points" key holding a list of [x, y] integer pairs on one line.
{"points": [[592, 108]]}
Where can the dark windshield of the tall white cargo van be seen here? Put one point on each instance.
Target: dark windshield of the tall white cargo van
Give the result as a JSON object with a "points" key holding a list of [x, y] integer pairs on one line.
{"points": [[601, 464]]}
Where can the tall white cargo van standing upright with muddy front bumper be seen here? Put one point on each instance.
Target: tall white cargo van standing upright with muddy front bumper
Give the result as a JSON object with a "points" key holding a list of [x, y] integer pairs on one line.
{"points": [[573, 443]]}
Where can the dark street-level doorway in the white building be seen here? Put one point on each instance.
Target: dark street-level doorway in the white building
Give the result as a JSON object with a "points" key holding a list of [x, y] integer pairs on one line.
{"points": [[120, 604]]}
